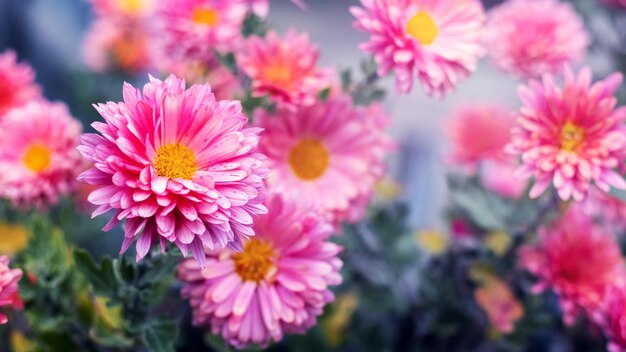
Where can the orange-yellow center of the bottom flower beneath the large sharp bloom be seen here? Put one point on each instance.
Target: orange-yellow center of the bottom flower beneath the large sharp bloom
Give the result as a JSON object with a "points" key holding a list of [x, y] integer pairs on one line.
{"points": [[255, 261]]}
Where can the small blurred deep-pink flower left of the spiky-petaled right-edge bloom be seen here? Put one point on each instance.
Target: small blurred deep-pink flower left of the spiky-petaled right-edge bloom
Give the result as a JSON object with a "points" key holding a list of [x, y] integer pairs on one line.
{"points": [[479, 132]]}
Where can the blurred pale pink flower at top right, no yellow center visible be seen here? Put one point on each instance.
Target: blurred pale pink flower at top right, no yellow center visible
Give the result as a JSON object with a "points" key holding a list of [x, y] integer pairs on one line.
{"points": [[528, 38]]}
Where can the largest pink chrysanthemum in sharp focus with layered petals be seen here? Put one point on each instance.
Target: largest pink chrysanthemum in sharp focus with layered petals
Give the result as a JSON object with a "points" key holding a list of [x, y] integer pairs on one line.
{"points": [[177, 164]]}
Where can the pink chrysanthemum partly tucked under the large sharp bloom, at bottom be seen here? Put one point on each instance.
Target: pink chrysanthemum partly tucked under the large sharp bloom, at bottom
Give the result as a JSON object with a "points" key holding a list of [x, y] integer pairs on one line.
{"points": [[279, 283]]}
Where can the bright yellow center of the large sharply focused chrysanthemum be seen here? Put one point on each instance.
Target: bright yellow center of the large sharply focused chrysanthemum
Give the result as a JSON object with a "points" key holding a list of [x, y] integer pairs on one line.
{"points": [[175, 161]]}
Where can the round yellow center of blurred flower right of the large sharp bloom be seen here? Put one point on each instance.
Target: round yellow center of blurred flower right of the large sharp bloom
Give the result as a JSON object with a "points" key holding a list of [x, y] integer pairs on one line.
{"points": [[309, 159]]}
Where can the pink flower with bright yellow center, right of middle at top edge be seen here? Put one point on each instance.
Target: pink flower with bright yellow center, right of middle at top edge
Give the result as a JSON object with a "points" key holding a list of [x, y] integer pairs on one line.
{"points": [[438, 41]]}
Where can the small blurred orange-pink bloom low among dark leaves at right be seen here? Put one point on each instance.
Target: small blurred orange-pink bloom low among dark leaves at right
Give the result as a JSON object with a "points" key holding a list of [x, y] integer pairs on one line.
{"points": [[502, 307]]}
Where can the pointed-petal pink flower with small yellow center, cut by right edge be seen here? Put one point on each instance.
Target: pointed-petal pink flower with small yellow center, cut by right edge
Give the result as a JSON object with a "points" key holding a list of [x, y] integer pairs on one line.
{"points": [[570, 136]]}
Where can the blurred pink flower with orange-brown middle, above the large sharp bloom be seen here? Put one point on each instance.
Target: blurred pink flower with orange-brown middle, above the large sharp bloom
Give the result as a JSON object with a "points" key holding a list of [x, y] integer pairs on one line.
{"points": [[114, 44]]}
